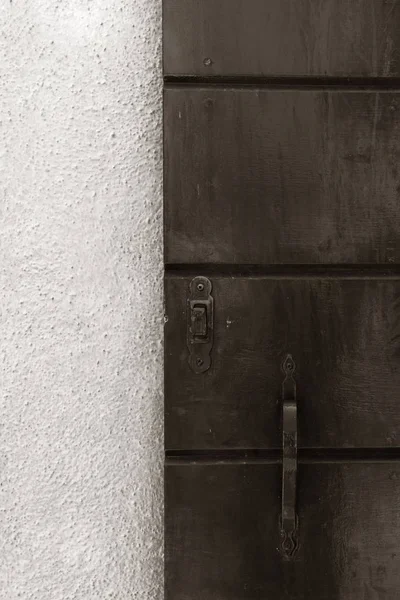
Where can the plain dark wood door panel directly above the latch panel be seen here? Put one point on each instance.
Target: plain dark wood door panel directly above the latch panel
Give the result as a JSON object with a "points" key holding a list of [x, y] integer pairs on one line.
{"points": [[282, 176]]}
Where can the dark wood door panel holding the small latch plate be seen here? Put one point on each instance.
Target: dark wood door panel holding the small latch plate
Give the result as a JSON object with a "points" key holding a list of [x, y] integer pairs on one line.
{"points": [[344, 335]]}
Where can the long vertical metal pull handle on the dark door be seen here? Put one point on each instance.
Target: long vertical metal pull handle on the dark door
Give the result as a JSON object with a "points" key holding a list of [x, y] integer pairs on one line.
{"points": [[289, 520]]}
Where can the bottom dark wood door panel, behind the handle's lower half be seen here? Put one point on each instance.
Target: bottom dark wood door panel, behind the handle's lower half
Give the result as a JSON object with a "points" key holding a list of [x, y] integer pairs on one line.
{"points": [[222, 533]]}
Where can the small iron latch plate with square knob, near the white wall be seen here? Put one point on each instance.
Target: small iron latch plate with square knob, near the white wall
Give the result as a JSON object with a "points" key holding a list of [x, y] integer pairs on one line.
{"points": [[200, 309]]}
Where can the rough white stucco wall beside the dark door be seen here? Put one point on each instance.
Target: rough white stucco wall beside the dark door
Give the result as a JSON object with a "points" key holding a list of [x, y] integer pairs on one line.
{"points": [[81, 300]]}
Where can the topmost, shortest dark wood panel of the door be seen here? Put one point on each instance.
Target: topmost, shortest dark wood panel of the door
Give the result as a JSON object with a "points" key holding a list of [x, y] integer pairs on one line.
{"points": [[282, 37]]}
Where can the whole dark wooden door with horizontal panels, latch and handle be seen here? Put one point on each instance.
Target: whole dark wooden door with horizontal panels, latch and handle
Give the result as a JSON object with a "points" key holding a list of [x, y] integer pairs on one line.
{"points": [[282, 293]]}
